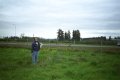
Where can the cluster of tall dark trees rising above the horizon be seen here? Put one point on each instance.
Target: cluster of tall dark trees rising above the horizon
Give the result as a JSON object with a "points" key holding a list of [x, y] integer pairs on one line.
{"points": [[61, 35]]}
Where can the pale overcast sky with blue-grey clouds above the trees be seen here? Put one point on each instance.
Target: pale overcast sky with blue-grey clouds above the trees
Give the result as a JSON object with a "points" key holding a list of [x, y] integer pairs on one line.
{"points": [[44, 17]]}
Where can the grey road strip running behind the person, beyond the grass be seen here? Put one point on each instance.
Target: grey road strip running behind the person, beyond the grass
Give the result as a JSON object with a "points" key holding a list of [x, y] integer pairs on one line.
{"points": [[25, 44]]}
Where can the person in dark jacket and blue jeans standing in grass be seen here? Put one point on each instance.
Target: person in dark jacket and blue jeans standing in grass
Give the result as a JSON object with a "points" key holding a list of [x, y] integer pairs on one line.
{"points": [[35, 50]]}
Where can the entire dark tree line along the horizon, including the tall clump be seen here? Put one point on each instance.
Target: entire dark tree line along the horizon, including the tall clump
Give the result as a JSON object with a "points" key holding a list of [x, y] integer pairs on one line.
{"points": [[65, 36]]}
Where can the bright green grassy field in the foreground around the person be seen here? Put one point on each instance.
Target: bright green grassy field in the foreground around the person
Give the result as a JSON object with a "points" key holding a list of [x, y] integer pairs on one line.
{"points": [[61, 63]]}
